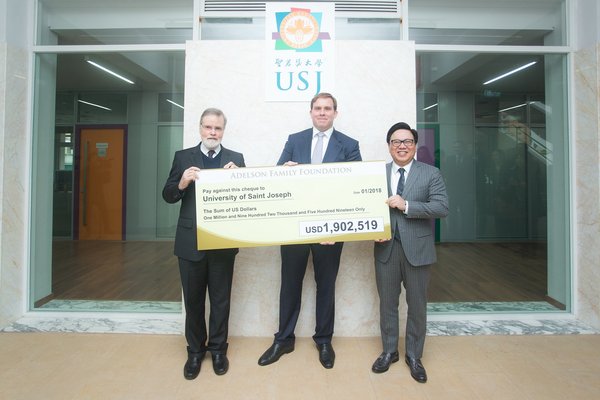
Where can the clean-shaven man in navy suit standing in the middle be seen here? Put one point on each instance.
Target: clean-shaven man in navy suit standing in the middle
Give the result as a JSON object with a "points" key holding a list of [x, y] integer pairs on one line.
{"points": [[321, 143]]}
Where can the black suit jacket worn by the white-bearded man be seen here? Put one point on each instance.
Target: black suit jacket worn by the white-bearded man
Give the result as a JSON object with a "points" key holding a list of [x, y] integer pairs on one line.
{"points": [[185, 238]]}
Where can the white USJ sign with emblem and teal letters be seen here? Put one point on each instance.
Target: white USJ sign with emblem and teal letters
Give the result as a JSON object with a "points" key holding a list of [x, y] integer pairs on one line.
{"points": [[300, 50]]}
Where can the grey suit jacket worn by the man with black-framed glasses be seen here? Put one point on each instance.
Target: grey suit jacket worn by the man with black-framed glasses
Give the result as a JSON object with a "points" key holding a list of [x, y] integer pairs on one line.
{"points": [[425, 192]]}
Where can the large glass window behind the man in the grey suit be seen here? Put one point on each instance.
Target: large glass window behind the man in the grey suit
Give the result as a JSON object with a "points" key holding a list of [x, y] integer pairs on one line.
{"points": [[503, 150]]}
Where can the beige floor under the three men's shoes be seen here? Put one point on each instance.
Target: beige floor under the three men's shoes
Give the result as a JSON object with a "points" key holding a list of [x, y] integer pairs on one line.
{"points": [[67, 365]]}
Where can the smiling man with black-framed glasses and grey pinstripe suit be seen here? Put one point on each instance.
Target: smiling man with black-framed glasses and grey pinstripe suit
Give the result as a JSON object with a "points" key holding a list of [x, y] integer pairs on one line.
{"points": [[417, 195]]}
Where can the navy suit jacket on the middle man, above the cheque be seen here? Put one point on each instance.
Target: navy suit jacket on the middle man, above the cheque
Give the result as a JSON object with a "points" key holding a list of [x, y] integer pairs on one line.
{"points": [[340, 148]]}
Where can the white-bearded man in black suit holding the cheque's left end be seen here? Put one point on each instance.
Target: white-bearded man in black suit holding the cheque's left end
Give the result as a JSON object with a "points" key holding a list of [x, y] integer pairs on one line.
{"points": [[202, 270]]}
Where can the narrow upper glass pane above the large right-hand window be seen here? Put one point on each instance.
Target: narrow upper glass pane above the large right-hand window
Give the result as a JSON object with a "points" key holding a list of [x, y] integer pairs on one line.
{"points": [[488, 22]]}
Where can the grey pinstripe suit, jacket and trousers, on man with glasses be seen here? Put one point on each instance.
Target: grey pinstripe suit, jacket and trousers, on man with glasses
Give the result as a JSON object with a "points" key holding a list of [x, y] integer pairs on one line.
{"points": [[406, 260]]}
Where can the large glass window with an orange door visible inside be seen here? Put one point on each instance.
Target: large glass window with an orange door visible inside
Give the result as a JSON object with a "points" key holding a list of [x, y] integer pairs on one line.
{"points": [[103, 163]]}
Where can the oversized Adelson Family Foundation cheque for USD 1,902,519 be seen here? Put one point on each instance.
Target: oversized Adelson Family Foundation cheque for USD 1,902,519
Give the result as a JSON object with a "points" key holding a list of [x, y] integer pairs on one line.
{"points": [[305, 203]]}
